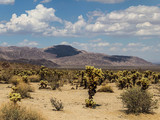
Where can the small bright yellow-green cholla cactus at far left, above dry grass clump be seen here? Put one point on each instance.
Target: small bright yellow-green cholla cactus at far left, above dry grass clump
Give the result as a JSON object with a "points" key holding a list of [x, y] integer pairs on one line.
{"points": [[15, 97]]}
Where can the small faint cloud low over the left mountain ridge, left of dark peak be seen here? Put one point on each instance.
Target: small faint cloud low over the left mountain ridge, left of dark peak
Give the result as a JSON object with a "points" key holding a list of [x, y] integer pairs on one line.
{"points": [[28, 43]]}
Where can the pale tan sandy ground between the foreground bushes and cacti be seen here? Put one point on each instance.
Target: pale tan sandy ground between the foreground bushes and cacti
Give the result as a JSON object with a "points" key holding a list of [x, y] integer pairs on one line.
{"points": [[111, 107]]}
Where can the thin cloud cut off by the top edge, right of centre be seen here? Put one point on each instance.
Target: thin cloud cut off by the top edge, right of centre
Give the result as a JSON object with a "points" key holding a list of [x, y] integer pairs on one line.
{"points": [[107, 1]]}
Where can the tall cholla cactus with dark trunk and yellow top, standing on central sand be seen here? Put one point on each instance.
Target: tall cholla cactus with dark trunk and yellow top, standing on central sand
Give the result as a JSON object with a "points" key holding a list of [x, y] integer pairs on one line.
{"points": [[92, 76]]}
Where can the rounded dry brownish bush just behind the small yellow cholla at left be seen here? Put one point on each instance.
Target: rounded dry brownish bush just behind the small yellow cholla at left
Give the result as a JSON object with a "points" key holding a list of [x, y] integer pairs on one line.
{"points": [[24, 90]]}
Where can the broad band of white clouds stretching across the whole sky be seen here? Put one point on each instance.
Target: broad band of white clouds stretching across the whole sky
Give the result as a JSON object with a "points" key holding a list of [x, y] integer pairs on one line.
{"points": [[142, 21]]}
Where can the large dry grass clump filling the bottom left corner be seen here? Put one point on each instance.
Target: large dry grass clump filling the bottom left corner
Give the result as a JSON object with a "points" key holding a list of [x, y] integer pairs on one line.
{"points": [[11, 111]]}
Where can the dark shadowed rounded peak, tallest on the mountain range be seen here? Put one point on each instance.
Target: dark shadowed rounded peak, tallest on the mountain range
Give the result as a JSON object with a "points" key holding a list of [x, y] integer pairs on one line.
{"points": [[62, 50]]}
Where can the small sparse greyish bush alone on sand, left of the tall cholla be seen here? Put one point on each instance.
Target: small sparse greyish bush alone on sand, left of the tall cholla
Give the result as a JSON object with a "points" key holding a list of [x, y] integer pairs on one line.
{"points": [[57, 104]]}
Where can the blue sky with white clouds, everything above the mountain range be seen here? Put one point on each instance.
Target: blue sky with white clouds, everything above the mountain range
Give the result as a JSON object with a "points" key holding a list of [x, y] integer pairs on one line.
{"points": [[113, 27]]}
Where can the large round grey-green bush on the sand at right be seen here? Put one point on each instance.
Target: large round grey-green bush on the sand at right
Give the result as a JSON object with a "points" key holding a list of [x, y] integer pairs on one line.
{"points": [[137, 100]]}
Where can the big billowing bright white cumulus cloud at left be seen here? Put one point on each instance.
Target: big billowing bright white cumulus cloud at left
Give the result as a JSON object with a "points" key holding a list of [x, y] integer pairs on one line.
{"points": [[35, 21]]}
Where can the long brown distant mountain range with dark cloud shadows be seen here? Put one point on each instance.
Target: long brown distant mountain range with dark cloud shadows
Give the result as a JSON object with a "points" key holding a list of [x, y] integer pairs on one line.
{"points": [[65, 55]]}
